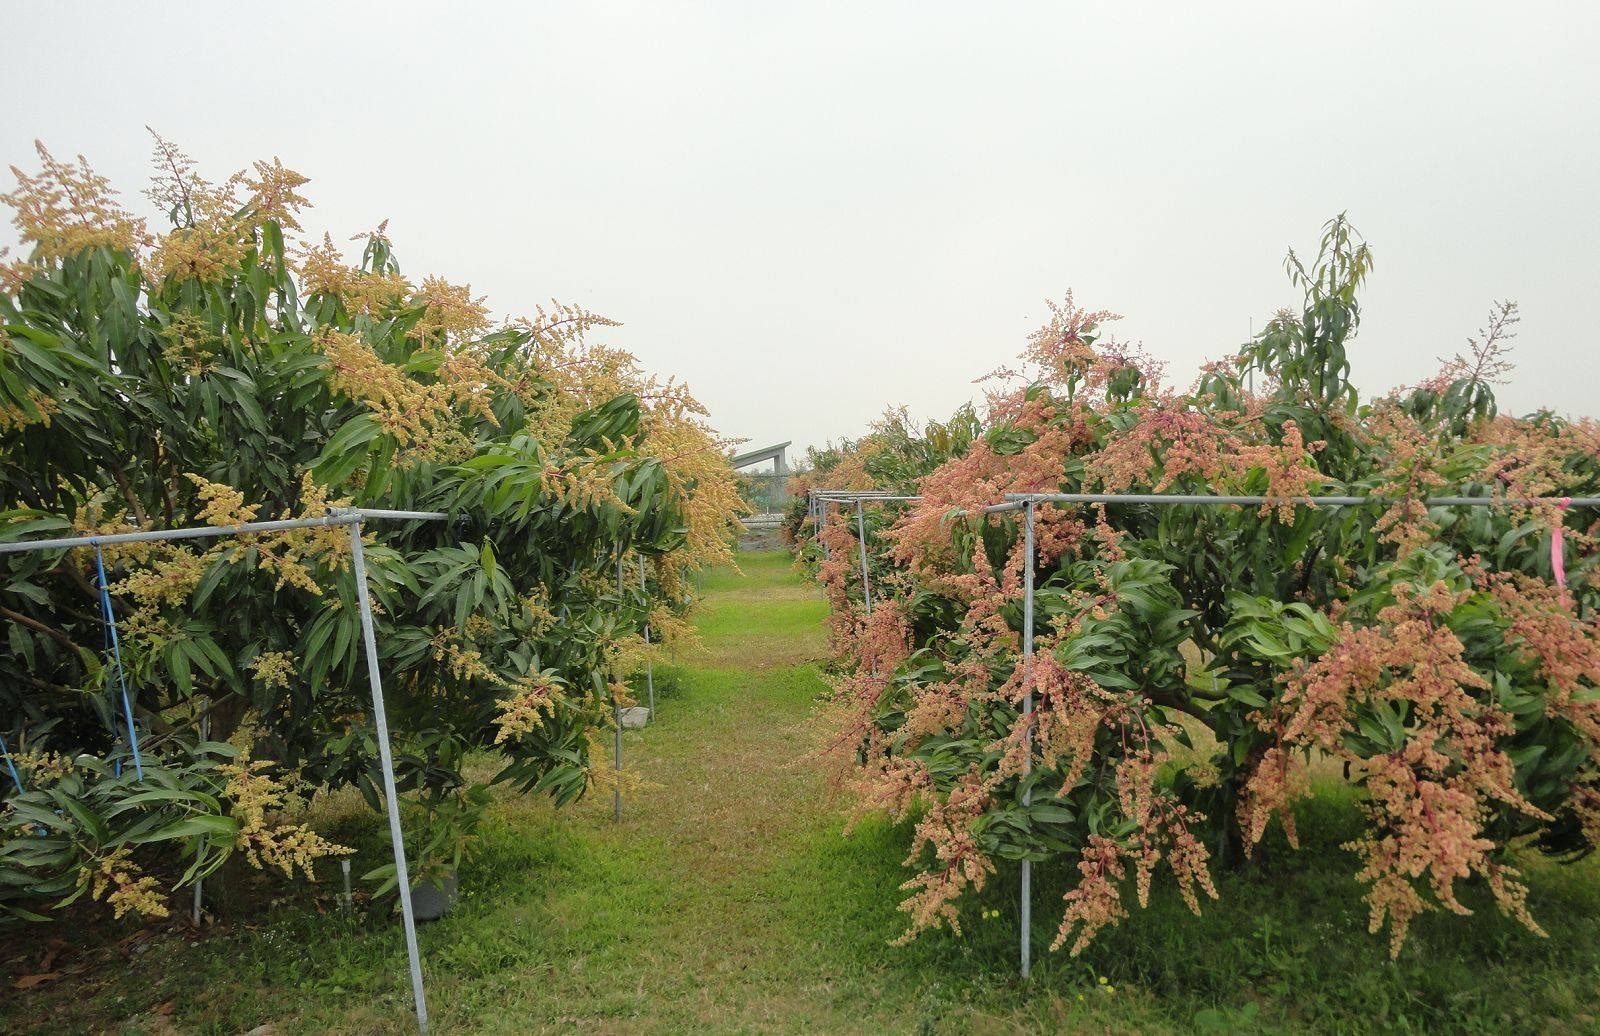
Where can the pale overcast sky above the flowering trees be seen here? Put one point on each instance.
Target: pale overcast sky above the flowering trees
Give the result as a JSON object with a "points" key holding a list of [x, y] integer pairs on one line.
{"points": [[812, 212]]}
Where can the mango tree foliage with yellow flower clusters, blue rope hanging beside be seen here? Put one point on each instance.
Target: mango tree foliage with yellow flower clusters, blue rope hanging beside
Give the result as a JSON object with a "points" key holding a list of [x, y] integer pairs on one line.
{"points": [[233, 370]]}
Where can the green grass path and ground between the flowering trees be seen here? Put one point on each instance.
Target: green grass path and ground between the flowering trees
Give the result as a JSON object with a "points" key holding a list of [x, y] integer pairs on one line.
{"points": [[730, 901]]}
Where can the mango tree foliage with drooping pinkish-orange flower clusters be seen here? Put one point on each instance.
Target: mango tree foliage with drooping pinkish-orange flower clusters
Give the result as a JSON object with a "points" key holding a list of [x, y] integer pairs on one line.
{"points": [[1196, 666]]}
